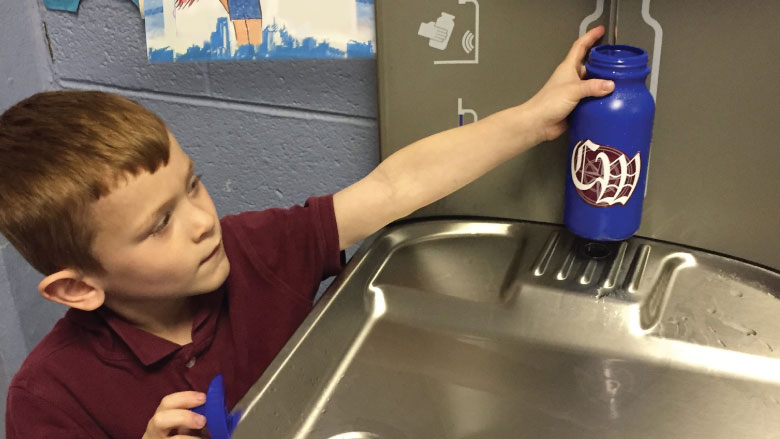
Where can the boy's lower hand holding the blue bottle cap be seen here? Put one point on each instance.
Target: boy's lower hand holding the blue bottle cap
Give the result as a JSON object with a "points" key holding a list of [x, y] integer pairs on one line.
{"points": [[173, 419]]}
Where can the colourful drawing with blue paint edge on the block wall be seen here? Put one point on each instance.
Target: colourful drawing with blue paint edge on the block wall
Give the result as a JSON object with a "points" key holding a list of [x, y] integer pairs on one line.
{"points": [[225, 30]]}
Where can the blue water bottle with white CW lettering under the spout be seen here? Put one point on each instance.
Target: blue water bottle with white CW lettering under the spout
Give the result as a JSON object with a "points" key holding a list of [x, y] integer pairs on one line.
{"points": [[610, 148]]}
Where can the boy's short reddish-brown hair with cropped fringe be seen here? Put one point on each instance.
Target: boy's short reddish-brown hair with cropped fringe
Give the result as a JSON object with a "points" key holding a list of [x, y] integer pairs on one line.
{"points": [[59, 153]]}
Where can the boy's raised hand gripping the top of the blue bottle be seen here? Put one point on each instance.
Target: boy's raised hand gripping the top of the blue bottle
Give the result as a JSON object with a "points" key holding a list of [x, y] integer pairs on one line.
{"points": [[553, 103]]}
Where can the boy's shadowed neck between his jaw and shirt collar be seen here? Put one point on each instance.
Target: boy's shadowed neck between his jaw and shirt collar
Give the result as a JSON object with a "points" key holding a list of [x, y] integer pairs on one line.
{"points": [[170, 319]]}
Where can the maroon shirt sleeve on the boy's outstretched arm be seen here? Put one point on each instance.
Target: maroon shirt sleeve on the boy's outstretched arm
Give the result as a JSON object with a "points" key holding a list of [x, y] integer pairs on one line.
{"points": [[299, 246]]}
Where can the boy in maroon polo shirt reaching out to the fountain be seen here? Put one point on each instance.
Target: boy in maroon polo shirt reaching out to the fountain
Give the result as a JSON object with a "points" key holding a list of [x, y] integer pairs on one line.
{"points": [[98, 195]]}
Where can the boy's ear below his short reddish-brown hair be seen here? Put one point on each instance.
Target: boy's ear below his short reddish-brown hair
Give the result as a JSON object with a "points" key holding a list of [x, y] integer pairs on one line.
{"points": [[71, 288]]}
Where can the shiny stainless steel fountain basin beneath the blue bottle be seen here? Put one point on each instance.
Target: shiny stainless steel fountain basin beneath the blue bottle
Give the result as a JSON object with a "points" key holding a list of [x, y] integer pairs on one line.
{"points": [[478, 329]]}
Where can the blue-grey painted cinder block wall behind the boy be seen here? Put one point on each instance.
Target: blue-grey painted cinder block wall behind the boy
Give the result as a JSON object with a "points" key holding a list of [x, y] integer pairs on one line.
{"points": [[263, 134]]}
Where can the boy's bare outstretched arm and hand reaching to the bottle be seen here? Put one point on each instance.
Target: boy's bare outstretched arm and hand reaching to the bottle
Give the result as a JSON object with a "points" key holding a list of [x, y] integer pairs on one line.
{"points": [[436, 166]]}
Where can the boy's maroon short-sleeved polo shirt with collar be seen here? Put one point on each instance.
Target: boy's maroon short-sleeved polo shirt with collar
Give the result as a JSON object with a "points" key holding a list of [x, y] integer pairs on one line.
{"points": [[96, 376]]}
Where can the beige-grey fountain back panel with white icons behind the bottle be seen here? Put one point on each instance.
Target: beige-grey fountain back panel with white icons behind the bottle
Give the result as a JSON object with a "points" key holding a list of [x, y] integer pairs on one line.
{"points": [[713, 175]]}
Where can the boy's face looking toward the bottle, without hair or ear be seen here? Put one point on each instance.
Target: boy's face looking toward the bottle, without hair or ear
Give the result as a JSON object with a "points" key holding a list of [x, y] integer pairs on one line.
{"points": [[158, 235]]}
